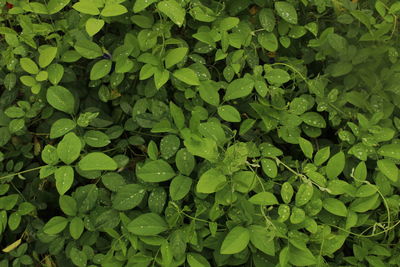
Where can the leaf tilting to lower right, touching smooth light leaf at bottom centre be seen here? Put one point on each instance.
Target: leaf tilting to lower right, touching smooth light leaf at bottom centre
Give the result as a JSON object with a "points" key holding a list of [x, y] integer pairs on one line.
{"points": [[262, 239]]}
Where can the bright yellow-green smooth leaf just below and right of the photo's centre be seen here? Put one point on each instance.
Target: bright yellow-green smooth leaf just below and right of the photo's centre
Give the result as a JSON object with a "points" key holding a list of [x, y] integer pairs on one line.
{"points": [[210, 181]]}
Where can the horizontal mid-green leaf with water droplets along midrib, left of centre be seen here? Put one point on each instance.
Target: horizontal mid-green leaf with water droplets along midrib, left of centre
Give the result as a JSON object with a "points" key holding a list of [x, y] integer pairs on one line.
{"points": [[155, 171]]}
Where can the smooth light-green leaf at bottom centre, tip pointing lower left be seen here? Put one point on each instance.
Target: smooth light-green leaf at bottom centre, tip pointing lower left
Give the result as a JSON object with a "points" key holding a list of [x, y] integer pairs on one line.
{"points": [[236, 241]]}
